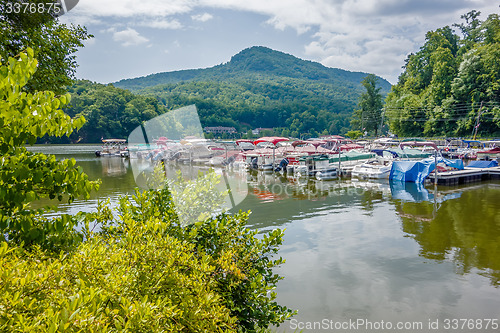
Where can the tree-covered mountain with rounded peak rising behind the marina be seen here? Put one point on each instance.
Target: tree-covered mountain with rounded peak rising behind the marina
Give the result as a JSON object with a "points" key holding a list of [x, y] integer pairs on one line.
{"points": [[261, 87]]}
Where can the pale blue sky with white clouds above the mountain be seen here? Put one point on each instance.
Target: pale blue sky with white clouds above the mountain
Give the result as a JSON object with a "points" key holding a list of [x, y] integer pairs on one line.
{"points": [[136, 38]]}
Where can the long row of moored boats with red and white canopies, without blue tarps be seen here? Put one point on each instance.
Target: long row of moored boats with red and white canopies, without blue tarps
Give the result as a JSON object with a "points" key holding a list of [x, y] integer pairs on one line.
{"points": [[322, 158]]}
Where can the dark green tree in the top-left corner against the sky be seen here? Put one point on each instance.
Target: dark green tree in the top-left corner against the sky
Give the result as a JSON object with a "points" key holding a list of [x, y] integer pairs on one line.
{"points": [[54, 44]]}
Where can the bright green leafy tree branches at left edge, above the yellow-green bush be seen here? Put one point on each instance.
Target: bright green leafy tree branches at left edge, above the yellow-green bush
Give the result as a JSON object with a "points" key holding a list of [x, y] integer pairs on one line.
{"points": [[25, 176]]}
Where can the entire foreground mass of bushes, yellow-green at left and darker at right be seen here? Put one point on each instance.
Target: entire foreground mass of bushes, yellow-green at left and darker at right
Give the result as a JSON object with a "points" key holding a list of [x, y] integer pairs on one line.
{"points": [[144, 272]]}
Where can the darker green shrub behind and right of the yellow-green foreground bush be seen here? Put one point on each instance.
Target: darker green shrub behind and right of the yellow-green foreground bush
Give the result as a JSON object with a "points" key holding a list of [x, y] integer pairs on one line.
{"points": [[243, 264]]}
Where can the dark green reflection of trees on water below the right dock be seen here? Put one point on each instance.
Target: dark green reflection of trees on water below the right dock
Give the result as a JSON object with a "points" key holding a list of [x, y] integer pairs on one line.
{"points": [[465, 230]]}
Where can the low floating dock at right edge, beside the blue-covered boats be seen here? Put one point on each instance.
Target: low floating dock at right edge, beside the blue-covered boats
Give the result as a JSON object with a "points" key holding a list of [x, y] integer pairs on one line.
{"points": [[468, 175]]}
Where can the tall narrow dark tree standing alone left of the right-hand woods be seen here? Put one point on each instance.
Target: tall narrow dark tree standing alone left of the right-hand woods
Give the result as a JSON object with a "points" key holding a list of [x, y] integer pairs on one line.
{"points": [[369, 115]]}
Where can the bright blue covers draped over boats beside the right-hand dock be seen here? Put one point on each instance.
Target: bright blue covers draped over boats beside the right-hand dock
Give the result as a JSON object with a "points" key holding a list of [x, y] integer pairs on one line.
{"points": [[417, 171]]}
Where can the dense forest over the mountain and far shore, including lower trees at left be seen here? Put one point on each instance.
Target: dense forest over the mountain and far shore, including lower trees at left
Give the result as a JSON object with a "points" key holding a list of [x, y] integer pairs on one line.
{"points": [[259, 87]]}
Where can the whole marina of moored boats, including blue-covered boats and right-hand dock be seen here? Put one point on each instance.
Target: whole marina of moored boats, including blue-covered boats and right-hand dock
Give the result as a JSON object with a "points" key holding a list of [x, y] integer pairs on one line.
{"points": [[330, 157]]}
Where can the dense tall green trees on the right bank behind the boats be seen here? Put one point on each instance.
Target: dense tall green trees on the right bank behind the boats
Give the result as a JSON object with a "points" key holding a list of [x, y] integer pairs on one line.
{"points": [[451, 86]]}
